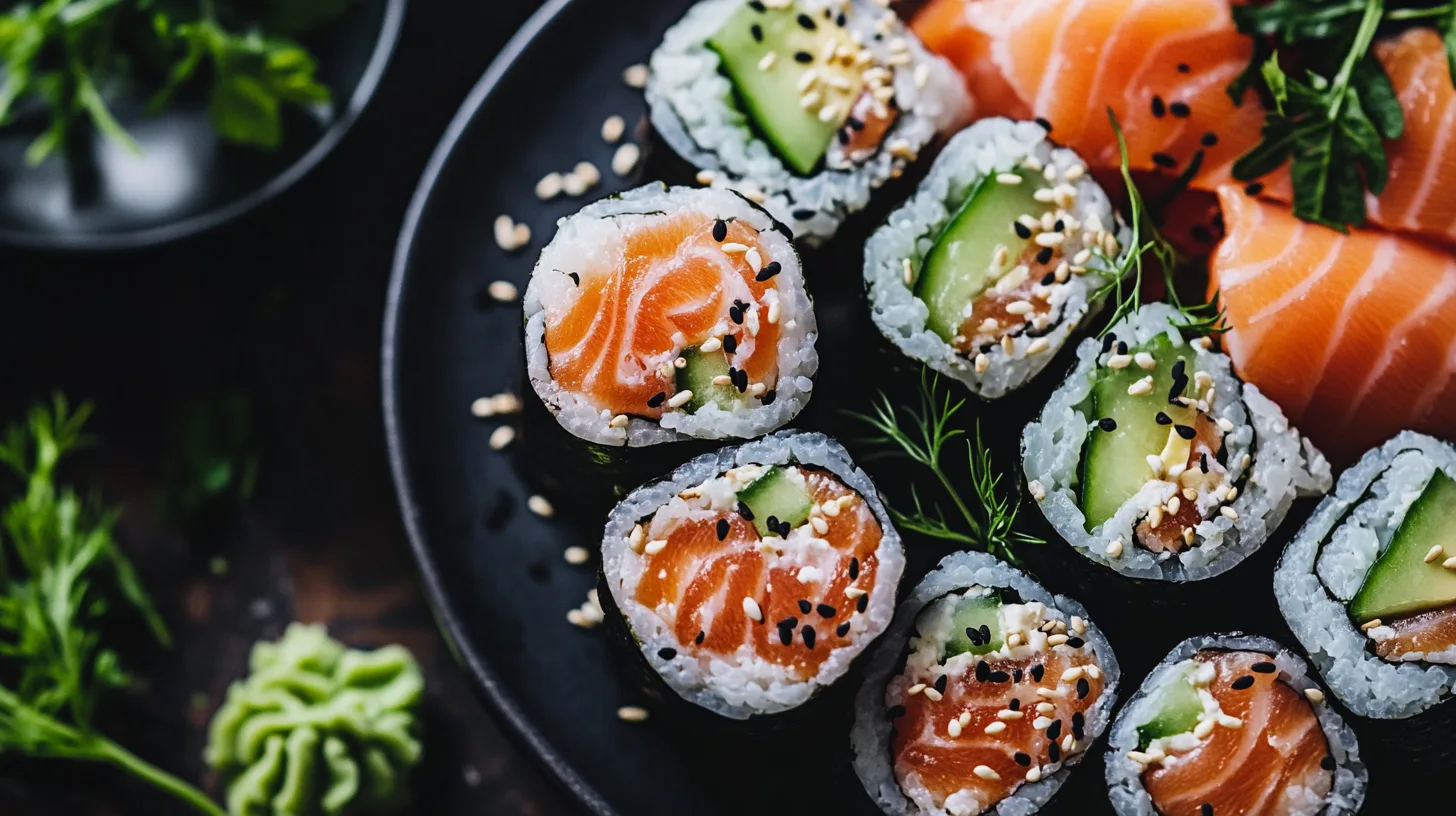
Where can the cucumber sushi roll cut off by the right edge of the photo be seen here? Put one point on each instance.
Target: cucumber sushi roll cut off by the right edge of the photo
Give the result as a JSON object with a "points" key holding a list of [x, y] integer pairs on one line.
{"points": [[1369, 585]]}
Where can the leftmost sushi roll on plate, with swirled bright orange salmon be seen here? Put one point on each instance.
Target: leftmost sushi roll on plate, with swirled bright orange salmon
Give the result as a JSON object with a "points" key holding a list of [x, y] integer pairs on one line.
{"points": [[670, 314]]}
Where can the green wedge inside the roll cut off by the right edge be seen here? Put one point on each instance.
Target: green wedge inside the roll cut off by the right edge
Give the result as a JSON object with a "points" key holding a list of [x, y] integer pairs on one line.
{"points": [[1401, 582]]}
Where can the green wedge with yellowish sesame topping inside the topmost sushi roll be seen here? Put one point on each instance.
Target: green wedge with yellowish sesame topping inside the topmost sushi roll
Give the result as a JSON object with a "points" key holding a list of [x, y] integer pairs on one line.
{"points": [[771, 95]]}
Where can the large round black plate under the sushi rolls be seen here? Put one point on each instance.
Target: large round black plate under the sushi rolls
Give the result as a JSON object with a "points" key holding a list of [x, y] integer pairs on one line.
{"points": [[496, 572]]}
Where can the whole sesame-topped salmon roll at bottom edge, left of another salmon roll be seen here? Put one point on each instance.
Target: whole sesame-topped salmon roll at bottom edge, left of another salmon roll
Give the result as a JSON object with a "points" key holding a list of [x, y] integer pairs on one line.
{"points": [[986, 691]]}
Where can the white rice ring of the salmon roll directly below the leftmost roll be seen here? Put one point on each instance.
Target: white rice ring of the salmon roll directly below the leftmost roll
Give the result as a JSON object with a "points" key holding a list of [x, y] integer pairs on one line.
{"points": [[748, 686]]}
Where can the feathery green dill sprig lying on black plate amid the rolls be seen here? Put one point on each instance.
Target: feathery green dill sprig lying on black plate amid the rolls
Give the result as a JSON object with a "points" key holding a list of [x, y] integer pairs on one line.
{"points": [[989, 517]]}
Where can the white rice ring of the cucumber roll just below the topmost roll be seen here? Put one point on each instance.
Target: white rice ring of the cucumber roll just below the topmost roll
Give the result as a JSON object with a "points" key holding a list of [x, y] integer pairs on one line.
{"points": [[985, 149]]}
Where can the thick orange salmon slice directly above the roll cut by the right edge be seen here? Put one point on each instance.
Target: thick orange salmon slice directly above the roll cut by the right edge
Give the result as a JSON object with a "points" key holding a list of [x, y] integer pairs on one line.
{"points": [[1355, 336]]}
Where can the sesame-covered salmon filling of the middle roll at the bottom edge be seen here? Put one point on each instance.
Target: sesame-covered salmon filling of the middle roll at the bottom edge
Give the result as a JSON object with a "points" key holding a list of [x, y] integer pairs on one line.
{"points": [[978, 728]]}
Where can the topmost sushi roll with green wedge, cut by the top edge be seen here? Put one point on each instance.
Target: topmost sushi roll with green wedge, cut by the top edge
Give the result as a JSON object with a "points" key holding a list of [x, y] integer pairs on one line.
{"points": [[809, 106]]}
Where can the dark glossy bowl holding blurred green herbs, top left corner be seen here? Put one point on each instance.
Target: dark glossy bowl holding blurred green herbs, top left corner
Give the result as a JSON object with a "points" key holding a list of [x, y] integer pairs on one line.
{"points": [[186, 178]]}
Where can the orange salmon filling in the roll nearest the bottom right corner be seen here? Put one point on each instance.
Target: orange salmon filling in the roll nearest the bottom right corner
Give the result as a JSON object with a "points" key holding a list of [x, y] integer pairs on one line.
{"points": [[1267, 744]]}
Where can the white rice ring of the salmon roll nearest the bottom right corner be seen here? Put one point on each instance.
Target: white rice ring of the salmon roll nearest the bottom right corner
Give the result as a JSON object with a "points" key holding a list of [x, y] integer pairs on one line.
{"points": [[1125, 776]]}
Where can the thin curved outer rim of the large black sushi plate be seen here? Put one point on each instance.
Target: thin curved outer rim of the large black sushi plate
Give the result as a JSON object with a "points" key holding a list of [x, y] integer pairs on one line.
{"points": [[484, 680]]}
